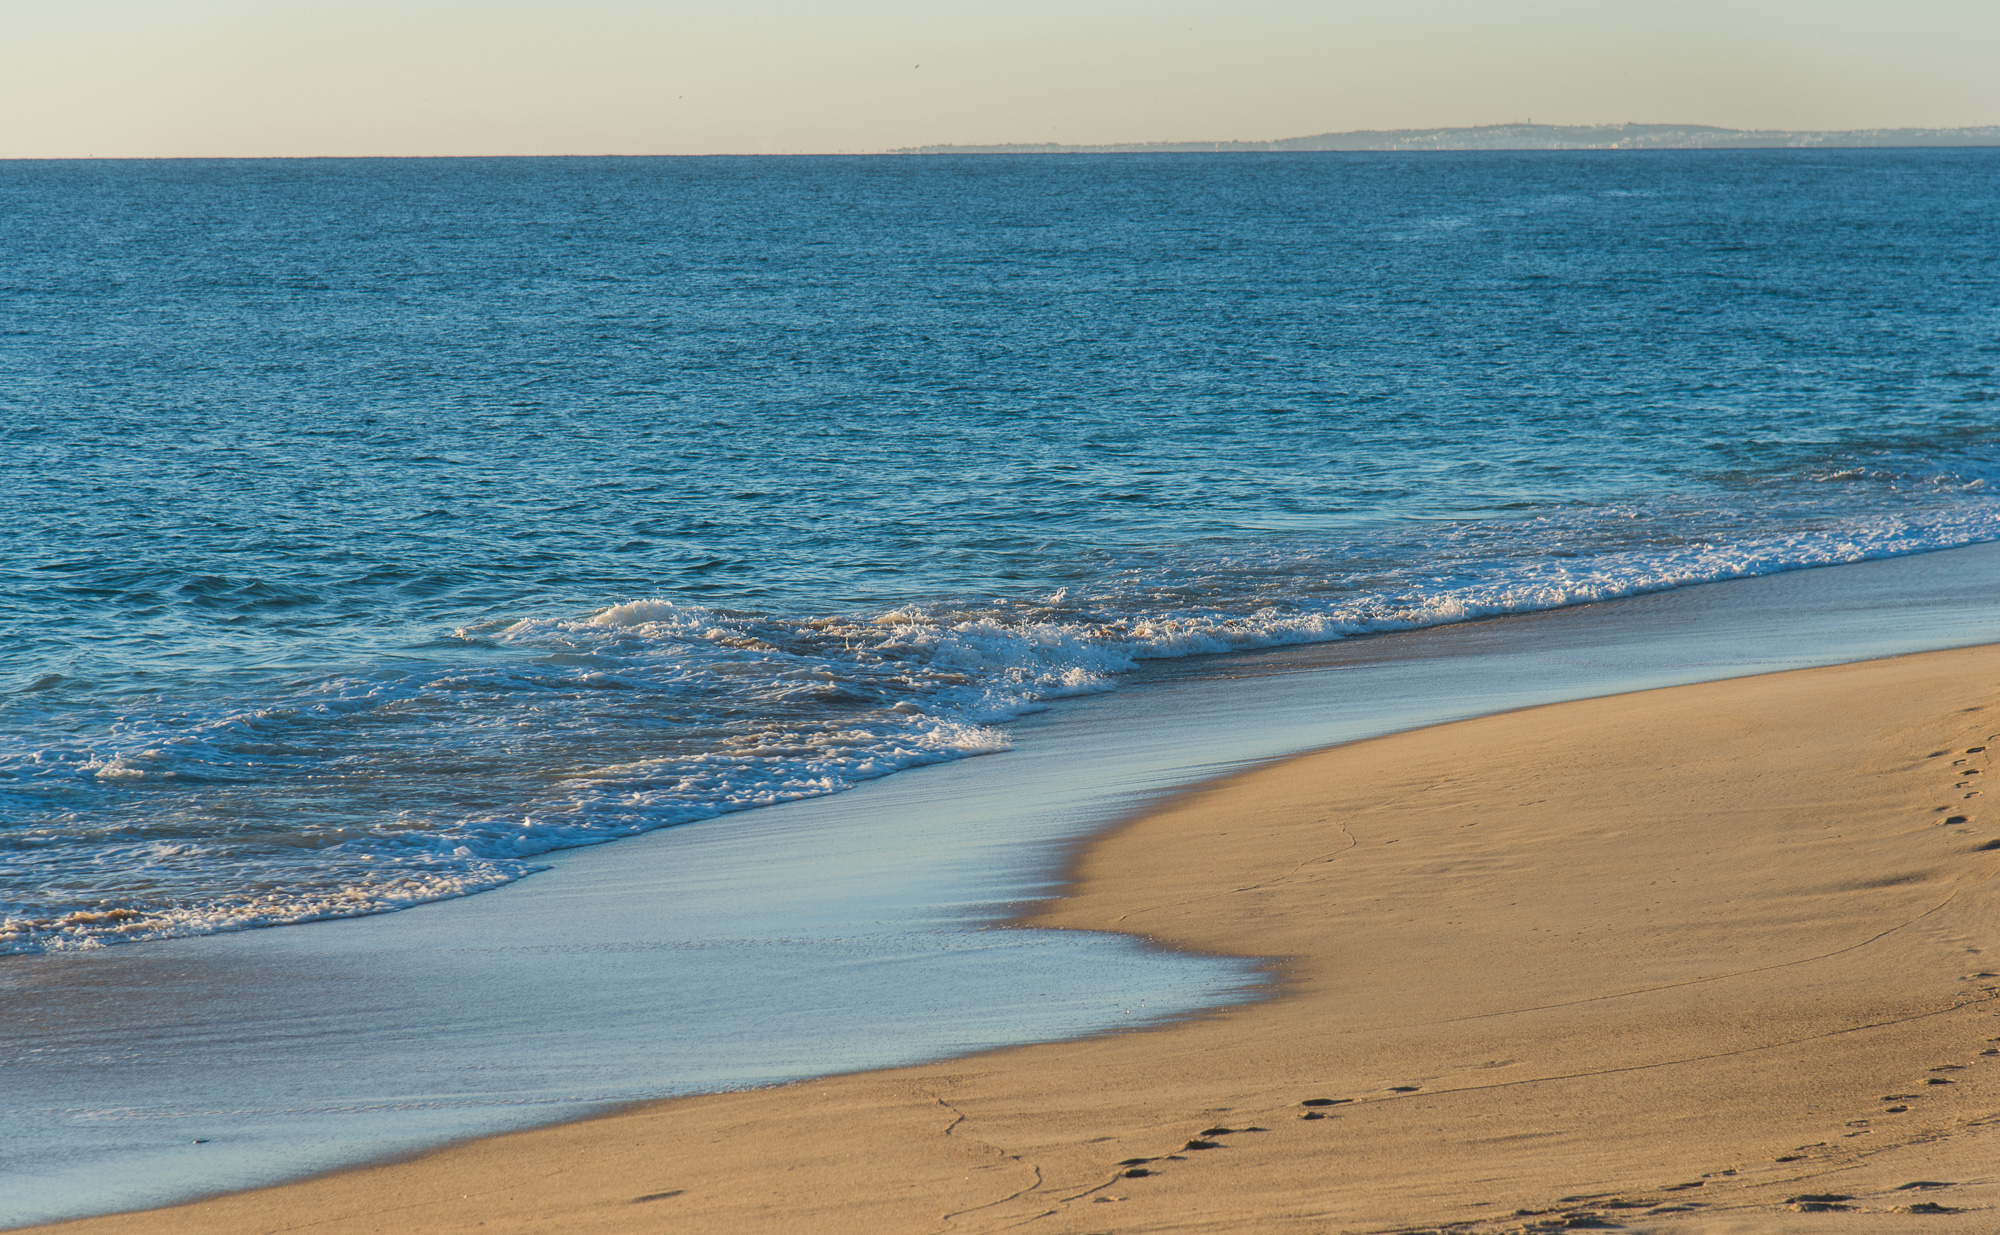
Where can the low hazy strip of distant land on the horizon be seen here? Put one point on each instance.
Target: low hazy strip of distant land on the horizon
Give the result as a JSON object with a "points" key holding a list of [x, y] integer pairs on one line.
{"points": [[1535, 137]]}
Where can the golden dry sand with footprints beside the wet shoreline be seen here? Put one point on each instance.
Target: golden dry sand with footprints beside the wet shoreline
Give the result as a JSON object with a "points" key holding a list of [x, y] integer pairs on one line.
{"points": [[1711, 958]]}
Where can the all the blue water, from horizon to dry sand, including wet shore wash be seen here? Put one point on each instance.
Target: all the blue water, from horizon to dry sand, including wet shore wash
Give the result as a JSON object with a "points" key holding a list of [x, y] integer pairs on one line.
{"points": [[383, 533]]}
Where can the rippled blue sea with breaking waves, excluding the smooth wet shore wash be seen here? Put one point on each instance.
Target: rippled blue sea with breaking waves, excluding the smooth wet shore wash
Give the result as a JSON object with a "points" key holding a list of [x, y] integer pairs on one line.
{"points": [[379, 527]]}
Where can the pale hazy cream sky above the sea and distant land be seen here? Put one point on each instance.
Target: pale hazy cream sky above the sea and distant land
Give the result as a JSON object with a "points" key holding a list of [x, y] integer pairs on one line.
{"points": [[665, 77]]}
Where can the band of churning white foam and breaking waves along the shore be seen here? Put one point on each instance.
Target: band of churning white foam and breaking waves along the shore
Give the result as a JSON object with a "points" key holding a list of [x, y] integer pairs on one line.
{"points": [[657, 712]]}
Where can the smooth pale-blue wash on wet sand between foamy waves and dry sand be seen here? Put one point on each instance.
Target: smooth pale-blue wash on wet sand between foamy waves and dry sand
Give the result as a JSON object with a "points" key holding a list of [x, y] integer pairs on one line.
{"points": [[845, 932]]}
